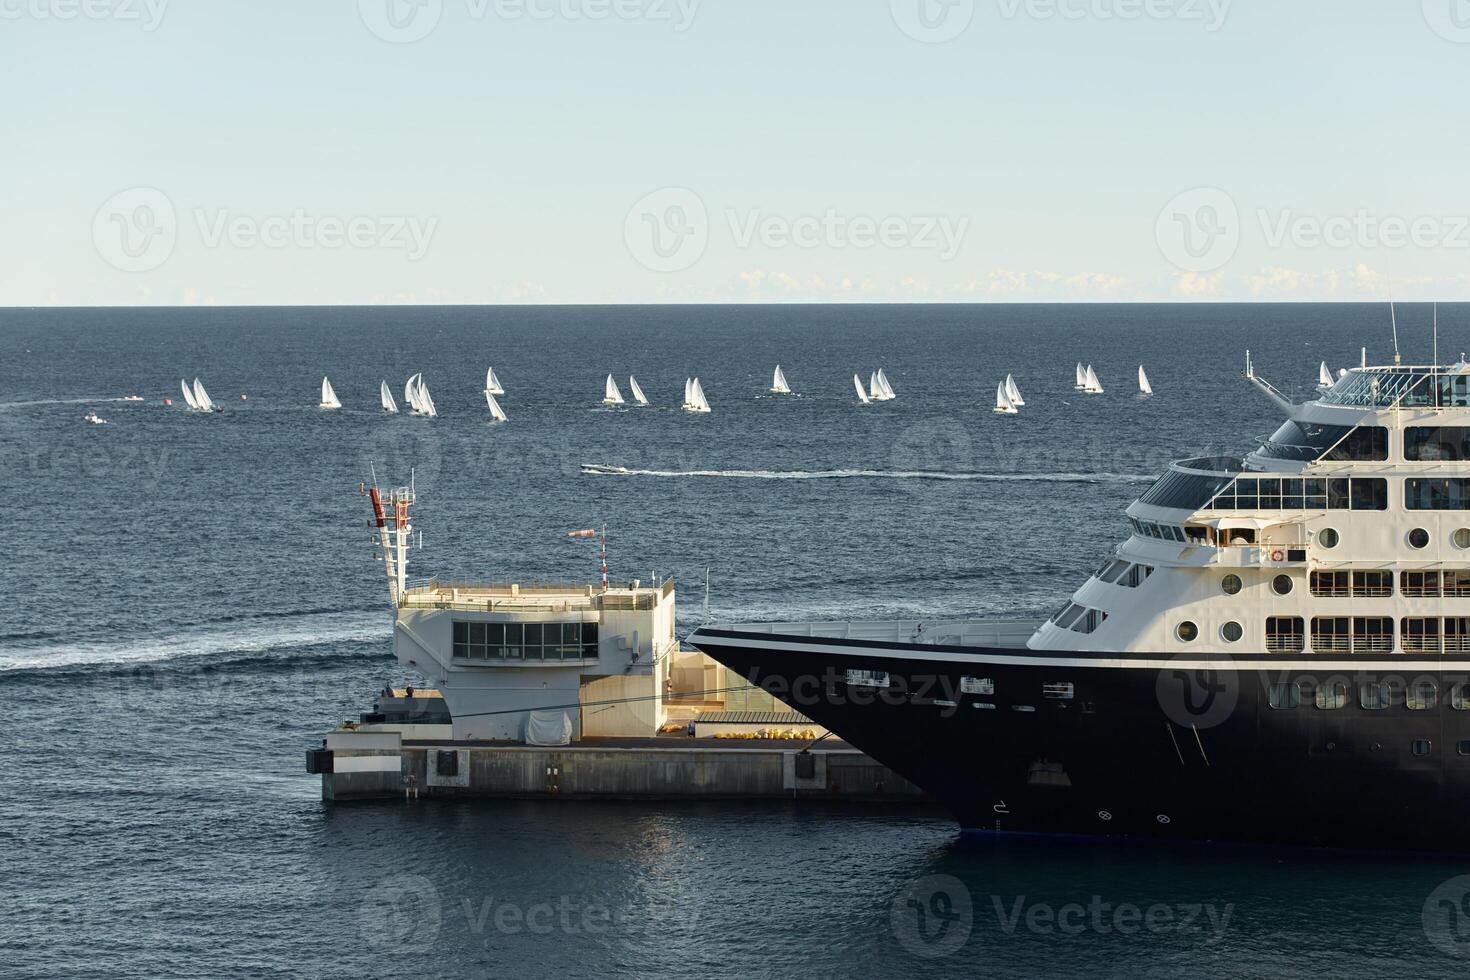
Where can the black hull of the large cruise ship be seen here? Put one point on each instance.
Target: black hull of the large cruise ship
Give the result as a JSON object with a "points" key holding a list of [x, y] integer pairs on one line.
{"points": [[1146, 746]]}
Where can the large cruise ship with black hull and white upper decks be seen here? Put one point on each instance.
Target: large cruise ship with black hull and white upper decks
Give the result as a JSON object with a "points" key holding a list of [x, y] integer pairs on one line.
{"points": [[1277, 653]]}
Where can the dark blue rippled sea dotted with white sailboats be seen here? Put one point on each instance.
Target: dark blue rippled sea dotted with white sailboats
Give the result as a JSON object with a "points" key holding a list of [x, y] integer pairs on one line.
{"points": [[190, 602]]}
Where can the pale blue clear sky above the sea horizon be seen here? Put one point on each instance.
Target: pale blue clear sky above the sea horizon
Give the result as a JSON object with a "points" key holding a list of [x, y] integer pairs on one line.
{"points": [[273, 152]]}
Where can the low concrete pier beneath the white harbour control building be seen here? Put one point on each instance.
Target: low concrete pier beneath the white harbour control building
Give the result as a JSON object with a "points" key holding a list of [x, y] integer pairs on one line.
{"points": [[383, 765]]}
